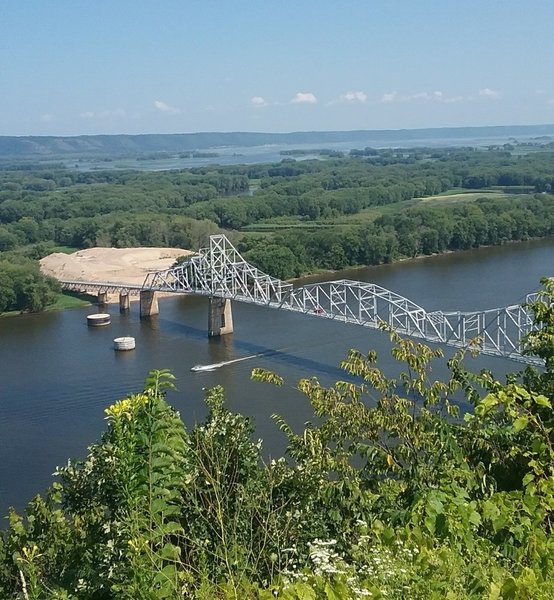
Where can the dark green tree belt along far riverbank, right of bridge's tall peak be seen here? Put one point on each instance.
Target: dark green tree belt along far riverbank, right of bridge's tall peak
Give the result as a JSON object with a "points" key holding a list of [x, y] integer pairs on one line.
{"points": [[417, 231]]}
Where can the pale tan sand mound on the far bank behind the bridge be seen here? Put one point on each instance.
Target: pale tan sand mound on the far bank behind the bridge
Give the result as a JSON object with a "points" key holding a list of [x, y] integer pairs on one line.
{"points": [[116, 265]]}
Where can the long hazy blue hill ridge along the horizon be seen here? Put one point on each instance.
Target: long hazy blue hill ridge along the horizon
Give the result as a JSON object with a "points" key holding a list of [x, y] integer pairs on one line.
{"points": [[135, 145]]}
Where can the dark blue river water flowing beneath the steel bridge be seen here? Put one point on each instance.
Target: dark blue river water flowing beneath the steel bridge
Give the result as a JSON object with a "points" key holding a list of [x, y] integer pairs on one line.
{"points": [[57, 375]]}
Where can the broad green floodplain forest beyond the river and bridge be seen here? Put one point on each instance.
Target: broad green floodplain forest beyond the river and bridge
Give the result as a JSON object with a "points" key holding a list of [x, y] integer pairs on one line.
{"points": [[289, 218]]}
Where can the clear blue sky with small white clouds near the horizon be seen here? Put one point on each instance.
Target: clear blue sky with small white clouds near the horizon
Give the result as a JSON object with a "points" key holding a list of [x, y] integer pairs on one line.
{"points": [[71, 67]]}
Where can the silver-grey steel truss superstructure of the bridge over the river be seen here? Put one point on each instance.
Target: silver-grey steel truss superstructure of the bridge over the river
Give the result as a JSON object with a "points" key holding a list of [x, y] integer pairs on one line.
{"points": [[220, 271]]}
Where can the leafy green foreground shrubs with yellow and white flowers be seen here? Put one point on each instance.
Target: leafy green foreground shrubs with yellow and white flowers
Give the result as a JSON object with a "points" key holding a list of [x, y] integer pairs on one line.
{"points": [[389, 494]]}
